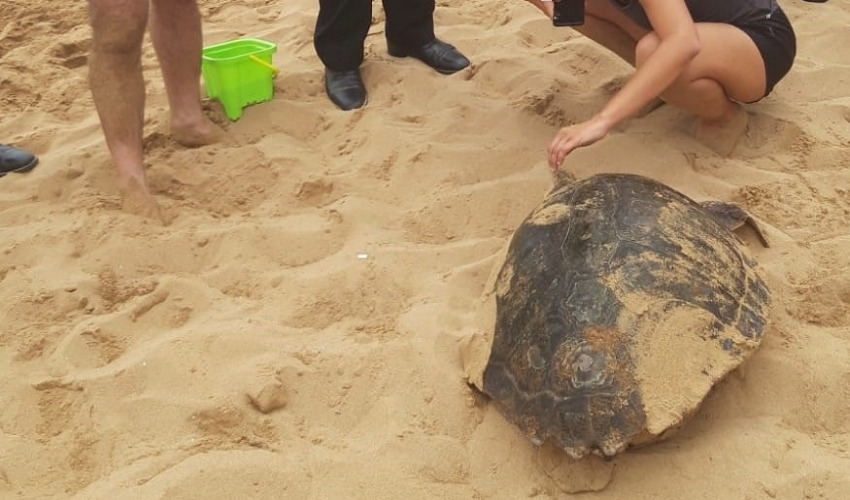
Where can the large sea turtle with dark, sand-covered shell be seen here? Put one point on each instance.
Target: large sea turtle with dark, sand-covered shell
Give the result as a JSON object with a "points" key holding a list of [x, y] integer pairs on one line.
{"points": [[618, 304]]}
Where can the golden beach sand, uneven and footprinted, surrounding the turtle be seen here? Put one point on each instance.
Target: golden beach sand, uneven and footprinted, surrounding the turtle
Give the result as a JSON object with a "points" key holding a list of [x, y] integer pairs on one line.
{"points": [[249, 351]]}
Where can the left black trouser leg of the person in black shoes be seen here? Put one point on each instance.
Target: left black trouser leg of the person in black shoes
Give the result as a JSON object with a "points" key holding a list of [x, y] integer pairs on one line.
{"points": [[341, 29]]}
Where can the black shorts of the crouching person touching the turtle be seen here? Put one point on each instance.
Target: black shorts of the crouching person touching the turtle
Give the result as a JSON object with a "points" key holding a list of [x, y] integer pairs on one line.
{"points": [[775, 40]]}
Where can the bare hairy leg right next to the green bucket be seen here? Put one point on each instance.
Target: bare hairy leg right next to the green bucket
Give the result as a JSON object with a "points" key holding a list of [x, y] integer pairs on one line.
{"points": [[177, 38]]}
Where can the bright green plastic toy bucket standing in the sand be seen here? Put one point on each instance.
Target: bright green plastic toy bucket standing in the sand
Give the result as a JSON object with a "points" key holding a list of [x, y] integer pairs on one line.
{"points": [[235, 75]]}
